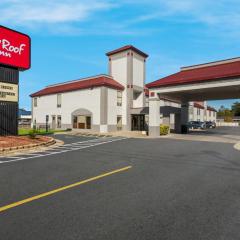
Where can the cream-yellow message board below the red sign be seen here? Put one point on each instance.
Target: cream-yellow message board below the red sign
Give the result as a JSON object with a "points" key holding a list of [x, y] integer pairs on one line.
{"points": [[8, 92]]}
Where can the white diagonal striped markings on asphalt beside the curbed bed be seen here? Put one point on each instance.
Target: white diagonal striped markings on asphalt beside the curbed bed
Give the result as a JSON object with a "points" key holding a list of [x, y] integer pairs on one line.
{"points": [[64, 149]]}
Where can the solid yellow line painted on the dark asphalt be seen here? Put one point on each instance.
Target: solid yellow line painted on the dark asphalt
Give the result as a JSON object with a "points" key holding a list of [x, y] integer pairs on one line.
{"points": [[27, 200]]}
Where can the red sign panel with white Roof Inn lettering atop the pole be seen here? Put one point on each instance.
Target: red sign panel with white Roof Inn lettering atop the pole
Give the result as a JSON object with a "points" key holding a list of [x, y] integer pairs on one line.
{"points": [[15, 49]]}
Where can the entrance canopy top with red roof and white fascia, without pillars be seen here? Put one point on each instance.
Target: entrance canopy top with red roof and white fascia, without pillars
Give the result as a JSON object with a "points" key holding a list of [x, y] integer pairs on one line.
{"points": [[211, 81]]}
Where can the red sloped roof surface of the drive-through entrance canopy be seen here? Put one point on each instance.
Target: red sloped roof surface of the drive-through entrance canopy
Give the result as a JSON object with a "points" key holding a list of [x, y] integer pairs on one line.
{"points": [[200, 74]]}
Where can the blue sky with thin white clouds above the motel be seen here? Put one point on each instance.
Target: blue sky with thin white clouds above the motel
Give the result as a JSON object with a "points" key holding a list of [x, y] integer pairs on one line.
{"points": [[70, 37]]}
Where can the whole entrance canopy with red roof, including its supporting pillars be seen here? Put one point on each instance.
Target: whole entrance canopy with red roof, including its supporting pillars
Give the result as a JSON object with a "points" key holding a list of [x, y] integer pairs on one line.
{"points": [[211, 81]]}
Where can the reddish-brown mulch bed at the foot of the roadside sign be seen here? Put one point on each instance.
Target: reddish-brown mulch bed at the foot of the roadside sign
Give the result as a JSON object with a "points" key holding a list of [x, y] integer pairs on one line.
{"points": [[15, 141]]}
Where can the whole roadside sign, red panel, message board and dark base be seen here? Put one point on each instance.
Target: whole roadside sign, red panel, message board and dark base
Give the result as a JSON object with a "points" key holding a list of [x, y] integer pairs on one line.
{"points": [[15, 56]]}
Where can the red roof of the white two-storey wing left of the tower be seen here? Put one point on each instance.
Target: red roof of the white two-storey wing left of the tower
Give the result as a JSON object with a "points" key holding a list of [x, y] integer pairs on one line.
{"points": [[97, 81]]}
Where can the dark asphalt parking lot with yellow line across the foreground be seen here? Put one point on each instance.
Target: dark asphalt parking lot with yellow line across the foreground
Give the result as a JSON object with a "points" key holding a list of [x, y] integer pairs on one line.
{"points": [[117, 188]]}
